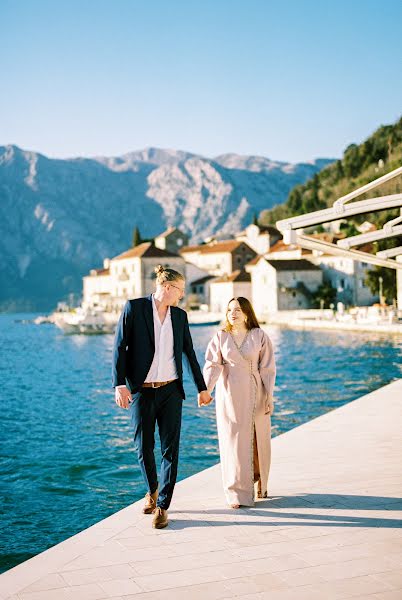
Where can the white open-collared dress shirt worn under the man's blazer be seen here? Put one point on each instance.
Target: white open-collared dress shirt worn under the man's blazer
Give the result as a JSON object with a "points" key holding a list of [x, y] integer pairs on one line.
{"points": [[163, 367]]}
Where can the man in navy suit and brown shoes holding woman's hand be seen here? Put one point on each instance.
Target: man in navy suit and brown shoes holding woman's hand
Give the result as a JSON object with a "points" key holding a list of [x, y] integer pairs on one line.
{"points": [[151, 336]]}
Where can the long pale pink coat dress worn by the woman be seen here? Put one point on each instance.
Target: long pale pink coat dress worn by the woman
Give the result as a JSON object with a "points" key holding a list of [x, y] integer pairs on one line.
{"points": [[244, 382]]}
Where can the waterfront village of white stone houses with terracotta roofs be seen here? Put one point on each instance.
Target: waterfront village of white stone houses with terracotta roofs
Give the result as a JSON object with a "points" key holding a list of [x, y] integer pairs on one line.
{"points": [[255, 263]]}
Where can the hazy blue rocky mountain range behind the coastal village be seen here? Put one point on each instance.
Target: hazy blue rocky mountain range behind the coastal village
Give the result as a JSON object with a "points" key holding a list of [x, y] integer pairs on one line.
{"points": [[59, 218]]}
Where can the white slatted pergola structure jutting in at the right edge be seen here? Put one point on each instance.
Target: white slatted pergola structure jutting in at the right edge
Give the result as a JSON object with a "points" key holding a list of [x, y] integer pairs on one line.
{"points": [[293, 228]]}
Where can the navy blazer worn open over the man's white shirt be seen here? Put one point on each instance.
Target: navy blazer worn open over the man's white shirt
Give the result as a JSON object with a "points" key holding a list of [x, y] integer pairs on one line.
{"points": [[134, 345]]}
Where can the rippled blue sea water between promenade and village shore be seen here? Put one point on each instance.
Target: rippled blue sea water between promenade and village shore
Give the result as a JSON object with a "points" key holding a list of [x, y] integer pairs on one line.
{"points": [[67, 458]]}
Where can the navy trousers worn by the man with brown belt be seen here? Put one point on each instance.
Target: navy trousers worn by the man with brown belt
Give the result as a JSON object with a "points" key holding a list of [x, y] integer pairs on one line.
{"points": [[162, 406]]}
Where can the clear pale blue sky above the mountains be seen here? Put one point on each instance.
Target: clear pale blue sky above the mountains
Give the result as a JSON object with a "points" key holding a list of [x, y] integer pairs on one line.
{"points": [[291, 81]]}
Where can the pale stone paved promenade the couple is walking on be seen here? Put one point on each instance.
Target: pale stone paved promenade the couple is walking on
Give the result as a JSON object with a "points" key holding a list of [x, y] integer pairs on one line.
{"points": [[332, 527]]}
